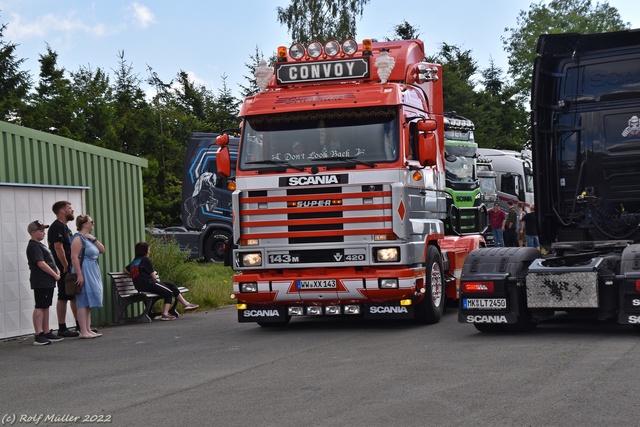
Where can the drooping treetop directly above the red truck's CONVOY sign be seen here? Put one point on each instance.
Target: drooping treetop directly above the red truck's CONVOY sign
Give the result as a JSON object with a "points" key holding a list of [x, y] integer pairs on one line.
{"points": [[321, 20]]}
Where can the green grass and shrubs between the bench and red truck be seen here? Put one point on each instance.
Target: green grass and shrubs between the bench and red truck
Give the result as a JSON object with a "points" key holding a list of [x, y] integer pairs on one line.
{"points": [[210, 284]]}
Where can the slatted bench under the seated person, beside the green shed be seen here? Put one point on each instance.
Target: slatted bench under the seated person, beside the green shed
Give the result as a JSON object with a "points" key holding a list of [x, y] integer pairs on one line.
{"points": [[127, 299]]}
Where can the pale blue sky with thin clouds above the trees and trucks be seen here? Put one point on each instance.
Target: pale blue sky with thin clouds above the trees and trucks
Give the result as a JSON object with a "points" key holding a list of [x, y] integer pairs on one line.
{"points": [[210, 39]]}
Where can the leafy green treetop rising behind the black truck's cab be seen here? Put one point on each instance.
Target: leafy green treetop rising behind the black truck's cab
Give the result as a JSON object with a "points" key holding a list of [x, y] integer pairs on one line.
{"points": [[559, 16]]}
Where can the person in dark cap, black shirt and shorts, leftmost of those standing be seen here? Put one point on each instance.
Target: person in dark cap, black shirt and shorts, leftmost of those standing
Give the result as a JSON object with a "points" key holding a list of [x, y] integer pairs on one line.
{"points": [[43, 277]]}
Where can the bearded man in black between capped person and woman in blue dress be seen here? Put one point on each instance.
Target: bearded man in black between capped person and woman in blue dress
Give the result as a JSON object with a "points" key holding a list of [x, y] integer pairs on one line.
{"points": [[60, 246]]}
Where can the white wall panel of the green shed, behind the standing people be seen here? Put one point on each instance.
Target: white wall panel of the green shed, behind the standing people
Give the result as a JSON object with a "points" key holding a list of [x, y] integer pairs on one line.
{"points": [[19, 205]]}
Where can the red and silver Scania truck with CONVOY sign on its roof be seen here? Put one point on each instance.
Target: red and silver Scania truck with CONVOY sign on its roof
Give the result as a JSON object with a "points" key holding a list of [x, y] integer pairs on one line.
{"points": [[339, 197]]}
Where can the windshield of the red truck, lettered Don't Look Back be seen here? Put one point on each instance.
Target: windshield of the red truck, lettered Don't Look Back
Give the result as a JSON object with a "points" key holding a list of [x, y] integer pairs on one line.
{"points": [[321, 137]]}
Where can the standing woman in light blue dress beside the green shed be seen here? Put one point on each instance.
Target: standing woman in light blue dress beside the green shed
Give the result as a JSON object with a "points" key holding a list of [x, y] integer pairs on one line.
{"points": [[85, 249]]}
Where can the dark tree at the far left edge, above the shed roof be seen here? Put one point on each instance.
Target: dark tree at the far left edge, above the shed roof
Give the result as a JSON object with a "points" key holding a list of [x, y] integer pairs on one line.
{"points": [[14, 84]]}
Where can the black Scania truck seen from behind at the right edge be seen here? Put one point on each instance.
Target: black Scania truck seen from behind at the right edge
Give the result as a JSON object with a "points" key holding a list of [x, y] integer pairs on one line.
{"points": [[586, 159]]}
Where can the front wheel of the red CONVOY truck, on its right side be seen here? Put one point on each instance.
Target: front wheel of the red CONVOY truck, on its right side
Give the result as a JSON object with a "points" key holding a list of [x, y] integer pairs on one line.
{"points": [[430, 309]]}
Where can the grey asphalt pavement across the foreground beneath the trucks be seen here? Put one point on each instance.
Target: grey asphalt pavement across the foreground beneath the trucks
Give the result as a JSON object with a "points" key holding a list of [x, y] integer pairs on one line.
{"points": [[207, 369]]}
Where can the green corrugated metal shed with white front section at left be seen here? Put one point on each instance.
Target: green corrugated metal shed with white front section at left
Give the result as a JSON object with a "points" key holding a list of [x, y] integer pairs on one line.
{"points": [[37, 169]]}
